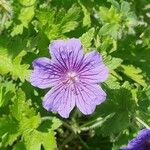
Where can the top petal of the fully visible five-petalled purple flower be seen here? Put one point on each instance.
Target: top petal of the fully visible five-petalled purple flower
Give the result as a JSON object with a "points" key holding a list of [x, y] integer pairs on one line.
{"points": [[67, 53]]}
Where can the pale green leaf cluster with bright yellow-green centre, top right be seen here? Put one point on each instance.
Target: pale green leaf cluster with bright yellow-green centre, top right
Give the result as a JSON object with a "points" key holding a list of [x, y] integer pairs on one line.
{"points": [[117, 20]]}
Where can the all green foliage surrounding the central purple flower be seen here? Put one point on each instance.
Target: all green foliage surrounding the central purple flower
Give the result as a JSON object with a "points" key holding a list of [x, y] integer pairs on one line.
{"points": [[118, 29]]}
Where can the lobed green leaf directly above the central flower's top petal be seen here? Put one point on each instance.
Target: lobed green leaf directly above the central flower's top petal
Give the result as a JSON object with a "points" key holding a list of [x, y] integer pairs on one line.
{"points": [[60, 23]]}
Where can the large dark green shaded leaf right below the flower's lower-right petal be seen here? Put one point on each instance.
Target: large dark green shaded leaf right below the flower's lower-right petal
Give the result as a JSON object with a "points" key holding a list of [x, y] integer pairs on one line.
{"points": [[119, 103]]}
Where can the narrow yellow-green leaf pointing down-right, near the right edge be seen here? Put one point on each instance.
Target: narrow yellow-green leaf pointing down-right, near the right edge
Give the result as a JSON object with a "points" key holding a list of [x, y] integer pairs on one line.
{"points": [[134, 74]]}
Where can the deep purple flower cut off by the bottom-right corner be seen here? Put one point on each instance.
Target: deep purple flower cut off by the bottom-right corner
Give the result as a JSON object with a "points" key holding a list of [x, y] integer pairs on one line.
{"points": [[140, 142]]}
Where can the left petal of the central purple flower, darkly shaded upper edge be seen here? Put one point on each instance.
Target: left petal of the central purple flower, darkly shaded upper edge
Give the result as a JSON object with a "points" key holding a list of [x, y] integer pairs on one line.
{"points": [[45, 74]]}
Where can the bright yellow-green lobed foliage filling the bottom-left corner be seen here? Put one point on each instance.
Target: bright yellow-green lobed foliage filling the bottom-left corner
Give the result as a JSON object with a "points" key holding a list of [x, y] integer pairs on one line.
{"points": [[23, 123]]}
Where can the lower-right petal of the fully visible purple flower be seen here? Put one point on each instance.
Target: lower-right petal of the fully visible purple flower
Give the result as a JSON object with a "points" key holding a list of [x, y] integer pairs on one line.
{"points": [[88, 96]]}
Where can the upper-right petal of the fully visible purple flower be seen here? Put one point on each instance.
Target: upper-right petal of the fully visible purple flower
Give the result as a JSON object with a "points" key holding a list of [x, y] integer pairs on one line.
{"points": [[92, 69]]}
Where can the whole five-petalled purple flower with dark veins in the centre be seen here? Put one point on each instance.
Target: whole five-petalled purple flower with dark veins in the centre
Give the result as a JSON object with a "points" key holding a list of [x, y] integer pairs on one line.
{"points": [[73, 76]]}
